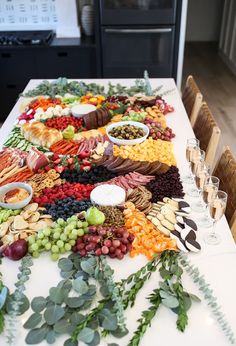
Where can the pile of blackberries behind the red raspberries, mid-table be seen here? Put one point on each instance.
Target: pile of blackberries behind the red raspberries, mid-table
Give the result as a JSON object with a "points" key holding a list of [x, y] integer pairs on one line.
{"points": [[94, 175]]}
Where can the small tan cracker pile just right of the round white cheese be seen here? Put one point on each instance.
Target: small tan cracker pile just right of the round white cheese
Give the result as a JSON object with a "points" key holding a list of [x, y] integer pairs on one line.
{"points": [[141, 197]]}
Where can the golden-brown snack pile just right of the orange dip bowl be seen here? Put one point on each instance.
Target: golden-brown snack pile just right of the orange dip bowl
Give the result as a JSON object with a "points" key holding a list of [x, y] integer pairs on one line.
{"points": [[41, 181]]}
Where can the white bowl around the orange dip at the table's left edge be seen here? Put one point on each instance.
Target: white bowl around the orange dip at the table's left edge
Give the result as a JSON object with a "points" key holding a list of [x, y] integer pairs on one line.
{"points": [[8, 187]]}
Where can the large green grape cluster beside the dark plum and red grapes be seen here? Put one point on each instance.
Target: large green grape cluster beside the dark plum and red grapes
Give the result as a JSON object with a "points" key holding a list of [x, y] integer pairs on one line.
{"points": [[58, 238]]}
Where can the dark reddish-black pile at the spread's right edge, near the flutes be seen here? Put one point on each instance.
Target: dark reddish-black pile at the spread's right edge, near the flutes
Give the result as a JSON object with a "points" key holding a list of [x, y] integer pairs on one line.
{"points": [[166, 185]]}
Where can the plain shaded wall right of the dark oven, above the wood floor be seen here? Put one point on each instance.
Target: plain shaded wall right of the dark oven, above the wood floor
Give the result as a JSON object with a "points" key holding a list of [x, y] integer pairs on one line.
{"points": [[204, 20]]}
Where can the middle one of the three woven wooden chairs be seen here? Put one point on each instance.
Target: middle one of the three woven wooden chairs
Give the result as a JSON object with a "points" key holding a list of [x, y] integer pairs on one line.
{"points": [[208, 133]]}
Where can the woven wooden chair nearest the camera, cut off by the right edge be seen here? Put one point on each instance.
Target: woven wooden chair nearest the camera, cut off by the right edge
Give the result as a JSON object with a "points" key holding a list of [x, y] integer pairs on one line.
{"points": [[225, 170]]}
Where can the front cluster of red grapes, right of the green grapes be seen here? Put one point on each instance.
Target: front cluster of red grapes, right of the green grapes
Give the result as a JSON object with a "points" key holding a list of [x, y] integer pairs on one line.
{"points": [[112, 241]]}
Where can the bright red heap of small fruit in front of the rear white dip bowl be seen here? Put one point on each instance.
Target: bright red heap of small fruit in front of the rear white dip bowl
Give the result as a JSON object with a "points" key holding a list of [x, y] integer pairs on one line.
{"points": [[61, 123]]}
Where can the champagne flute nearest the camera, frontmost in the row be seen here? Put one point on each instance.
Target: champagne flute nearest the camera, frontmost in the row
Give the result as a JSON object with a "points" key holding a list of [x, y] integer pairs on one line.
{"points": [[216, 209]]}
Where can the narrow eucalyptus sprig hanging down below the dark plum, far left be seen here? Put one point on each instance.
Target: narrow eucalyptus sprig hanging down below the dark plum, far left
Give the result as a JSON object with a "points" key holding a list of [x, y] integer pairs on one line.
{"points": [[17, 298]]}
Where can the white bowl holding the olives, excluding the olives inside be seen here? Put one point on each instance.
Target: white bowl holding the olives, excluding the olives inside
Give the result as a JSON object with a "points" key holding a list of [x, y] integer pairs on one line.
{"points": [[127, 141]]}
